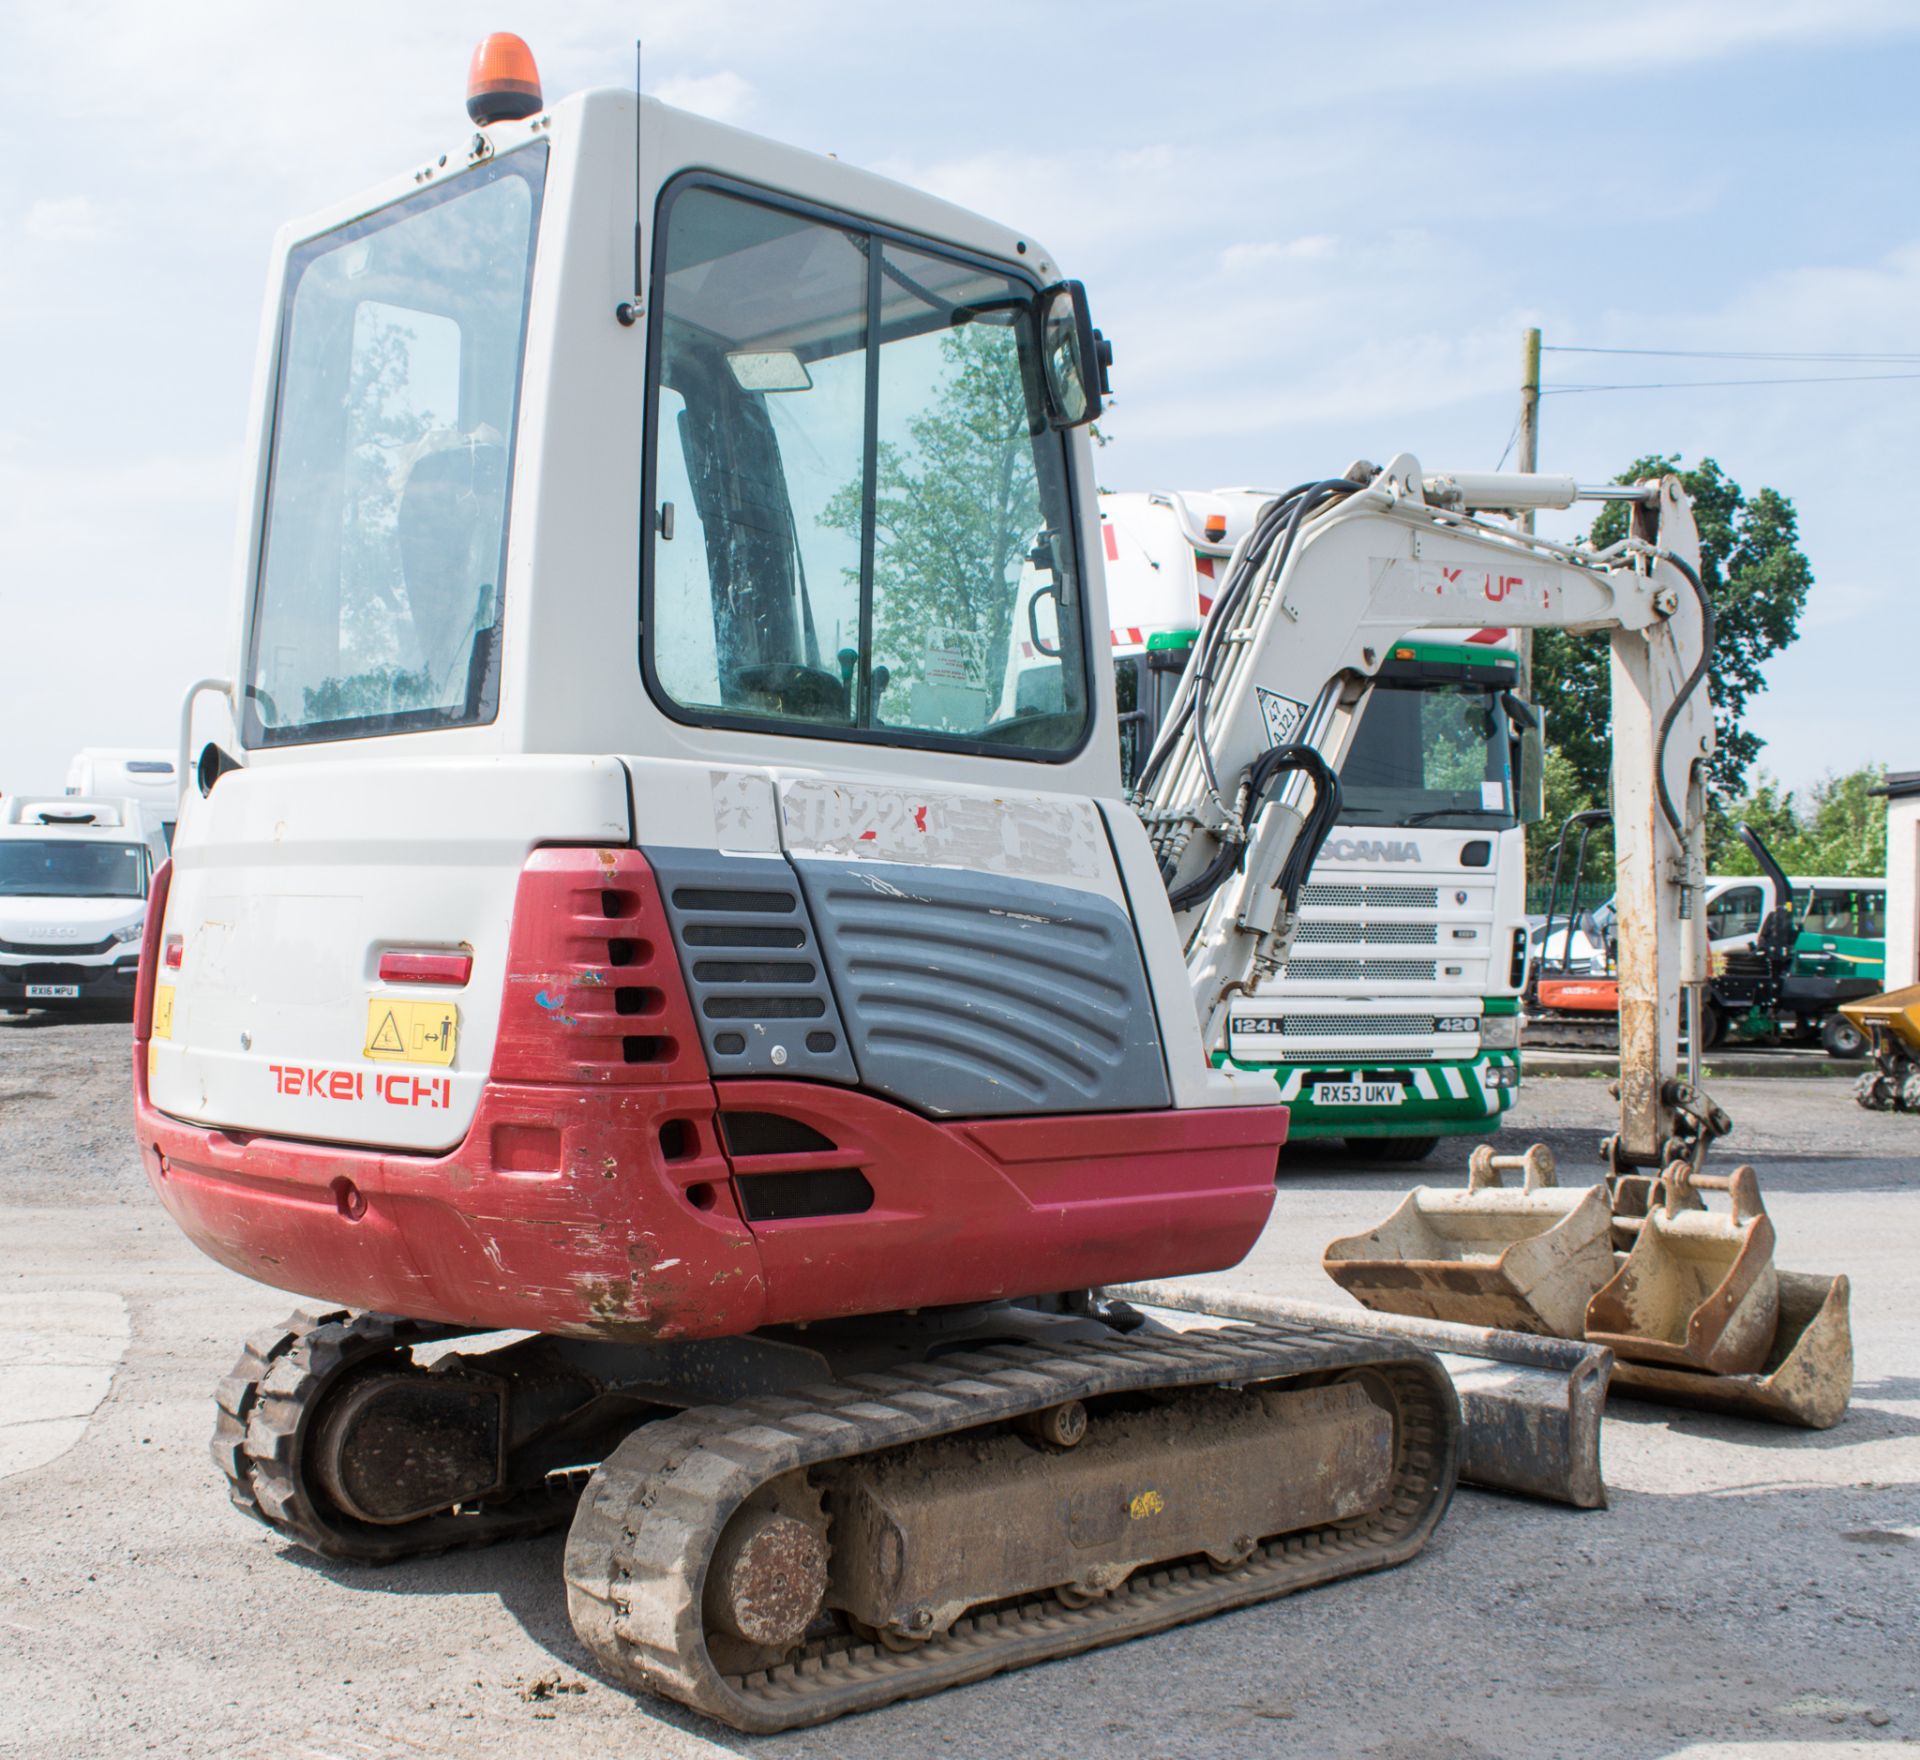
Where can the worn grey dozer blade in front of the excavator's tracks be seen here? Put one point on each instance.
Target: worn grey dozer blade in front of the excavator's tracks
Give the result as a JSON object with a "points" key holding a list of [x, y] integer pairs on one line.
{"points": [[1529, 1406]]}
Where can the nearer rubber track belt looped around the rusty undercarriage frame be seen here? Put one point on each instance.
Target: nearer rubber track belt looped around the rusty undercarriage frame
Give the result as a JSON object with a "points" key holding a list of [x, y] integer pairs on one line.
{"points": [[654, 1513]]}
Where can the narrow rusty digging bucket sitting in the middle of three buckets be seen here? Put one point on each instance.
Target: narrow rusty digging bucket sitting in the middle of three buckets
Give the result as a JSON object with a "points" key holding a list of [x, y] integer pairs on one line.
{"points": [[1698, 1291]]}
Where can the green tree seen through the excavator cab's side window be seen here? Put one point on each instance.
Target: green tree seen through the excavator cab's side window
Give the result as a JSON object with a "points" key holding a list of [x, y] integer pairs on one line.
{"points": [[955, 511]]}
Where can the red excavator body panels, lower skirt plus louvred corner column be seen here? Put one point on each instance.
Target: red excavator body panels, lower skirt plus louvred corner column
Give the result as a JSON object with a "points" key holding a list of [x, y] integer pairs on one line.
{"points": [[598, 1195]]}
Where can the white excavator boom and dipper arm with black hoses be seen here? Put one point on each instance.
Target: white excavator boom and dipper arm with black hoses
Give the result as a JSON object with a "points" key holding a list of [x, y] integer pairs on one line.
{"points": [[1316, 598]]}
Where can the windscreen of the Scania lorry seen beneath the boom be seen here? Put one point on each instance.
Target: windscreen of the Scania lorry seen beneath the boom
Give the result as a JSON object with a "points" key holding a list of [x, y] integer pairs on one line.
{"points": [[1429, 755]]}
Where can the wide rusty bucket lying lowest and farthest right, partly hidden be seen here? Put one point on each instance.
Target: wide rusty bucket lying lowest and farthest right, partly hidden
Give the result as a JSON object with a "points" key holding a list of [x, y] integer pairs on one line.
{"points": [[1808, 1377]]}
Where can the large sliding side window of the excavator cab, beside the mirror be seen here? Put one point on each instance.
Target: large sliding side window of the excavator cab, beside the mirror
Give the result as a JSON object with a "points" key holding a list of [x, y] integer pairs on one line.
{"points": [[859, 517]]}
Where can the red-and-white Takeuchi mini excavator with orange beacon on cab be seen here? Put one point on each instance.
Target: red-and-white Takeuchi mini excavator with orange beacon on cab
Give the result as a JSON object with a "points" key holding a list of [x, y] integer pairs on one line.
{"points": [[623, 905]]}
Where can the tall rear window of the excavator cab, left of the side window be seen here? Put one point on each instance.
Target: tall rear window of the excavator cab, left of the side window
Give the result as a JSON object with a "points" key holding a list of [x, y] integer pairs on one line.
{"points": [[385, 542]]}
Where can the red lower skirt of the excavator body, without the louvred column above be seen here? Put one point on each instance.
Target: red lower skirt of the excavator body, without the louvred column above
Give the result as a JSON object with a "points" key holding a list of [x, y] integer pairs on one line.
{"points": [[619, 1214]]}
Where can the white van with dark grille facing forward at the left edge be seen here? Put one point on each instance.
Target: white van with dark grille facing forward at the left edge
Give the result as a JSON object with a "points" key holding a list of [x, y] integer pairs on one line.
{"points": [[74, 884]]}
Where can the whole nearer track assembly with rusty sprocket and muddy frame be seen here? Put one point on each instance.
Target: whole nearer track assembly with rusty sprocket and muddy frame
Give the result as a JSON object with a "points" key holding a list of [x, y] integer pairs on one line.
{"points": [[796, 1558]]}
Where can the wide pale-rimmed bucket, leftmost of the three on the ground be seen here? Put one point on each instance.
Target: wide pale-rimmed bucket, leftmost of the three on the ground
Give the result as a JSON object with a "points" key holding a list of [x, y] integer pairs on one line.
{"points": [[1491, 1256]]}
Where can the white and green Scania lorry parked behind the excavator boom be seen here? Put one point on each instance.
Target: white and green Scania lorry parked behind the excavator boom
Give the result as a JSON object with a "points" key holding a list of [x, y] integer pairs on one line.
{"points": [[1395, 1020]]}
